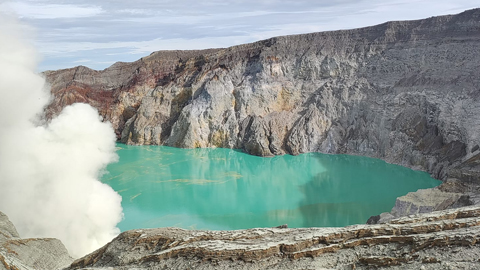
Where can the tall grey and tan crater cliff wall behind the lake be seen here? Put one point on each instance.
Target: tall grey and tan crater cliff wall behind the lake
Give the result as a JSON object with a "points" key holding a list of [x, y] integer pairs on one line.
{"points": [[406, 92]]}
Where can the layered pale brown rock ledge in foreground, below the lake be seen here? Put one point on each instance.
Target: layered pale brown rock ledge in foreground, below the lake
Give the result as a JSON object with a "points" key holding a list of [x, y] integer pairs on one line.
{"points": [[442, 240]]}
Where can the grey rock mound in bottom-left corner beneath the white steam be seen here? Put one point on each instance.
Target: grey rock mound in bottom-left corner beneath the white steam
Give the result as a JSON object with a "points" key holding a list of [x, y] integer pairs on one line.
{"points": [[31, 253]]}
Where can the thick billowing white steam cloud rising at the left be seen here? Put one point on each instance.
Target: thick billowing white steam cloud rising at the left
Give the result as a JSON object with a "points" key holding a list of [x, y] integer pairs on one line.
{"points": [[49, 172]]}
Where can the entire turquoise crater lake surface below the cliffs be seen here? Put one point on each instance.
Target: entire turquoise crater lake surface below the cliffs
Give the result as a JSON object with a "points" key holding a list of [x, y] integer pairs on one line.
{"points": [[226, 189]]}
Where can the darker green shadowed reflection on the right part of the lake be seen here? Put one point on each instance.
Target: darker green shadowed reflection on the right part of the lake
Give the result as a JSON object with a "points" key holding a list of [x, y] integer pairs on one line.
{"points": [[355, 188]]}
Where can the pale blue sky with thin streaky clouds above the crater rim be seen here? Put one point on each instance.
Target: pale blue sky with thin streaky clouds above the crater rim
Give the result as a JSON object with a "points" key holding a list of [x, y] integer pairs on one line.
{"points": [[98, 33]]}
